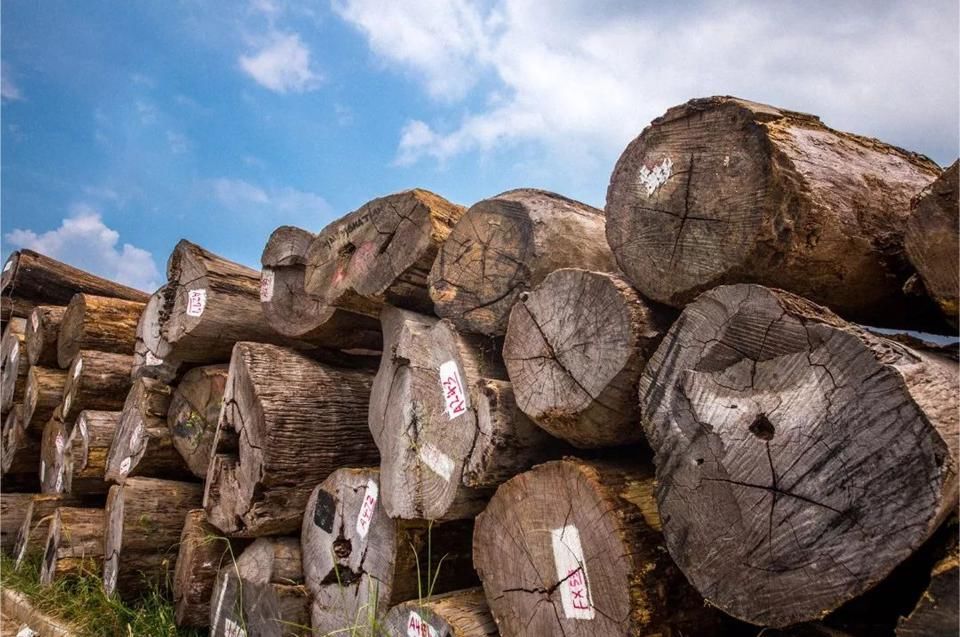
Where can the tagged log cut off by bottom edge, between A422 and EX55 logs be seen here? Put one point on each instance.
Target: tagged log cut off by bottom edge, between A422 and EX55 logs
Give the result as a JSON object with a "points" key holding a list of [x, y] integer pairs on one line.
{"points": [[458, 614]]}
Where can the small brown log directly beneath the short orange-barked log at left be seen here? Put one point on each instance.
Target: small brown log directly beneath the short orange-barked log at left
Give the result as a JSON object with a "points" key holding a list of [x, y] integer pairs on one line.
{"points": [[96, 381]]}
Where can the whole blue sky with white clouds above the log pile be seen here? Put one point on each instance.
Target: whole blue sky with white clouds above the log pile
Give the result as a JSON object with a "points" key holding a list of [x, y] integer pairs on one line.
{"points": [[128, 125]]}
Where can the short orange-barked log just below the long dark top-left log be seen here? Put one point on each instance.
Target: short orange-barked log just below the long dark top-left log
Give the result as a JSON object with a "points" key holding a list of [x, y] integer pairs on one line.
{"points": [[100, 323]]}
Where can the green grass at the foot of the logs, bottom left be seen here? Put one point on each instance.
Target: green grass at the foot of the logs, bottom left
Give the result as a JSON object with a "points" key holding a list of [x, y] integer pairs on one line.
{"points": [[81, 602]]}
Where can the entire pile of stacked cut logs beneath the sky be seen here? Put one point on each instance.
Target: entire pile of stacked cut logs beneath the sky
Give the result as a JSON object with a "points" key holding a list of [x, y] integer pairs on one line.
{"points": [[525, 417]]}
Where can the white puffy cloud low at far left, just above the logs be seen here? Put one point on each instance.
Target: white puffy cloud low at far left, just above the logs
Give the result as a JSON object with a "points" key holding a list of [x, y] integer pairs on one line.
{"points": [[83, 240]]}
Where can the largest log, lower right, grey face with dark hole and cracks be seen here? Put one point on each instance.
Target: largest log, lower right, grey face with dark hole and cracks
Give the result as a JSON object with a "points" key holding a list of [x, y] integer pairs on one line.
{"points": [[799, 446]]}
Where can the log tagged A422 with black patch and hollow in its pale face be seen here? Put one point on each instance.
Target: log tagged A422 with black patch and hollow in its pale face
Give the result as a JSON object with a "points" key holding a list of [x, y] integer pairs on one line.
{"points": [[358, 562]]}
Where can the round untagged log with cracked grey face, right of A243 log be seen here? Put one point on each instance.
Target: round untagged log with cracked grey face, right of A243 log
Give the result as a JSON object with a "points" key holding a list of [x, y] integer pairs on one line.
{"points": [[574, 350]]}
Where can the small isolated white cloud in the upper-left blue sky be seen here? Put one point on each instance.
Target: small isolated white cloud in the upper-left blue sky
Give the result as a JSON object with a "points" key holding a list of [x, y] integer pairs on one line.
{"points": [[282, 65]]}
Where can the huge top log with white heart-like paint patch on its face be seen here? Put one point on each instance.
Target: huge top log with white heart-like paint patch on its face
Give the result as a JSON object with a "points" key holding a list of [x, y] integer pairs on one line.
{"points": [[721, 190]]}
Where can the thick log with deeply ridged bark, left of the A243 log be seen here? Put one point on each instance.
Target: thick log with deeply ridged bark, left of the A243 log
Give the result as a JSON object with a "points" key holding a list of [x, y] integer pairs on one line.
{"points": [[297, 420]]}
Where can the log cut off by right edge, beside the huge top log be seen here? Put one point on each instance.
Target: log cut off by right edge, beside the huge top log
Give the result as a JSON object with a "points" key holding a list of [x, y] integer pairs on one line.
{"points": [[932, 240]]}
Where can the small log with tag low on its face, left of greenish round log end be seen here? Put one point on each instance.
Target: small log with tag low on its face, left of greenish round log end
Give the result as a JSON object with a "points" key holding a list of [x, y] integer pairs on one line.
{"points": [[142, 443]]}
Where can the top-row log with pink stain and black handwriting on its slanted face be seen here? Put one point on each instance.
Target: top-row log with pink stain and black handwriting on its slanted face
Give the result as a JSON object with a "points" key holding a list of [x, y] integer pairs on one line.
{"points": [[381, 253]]}
